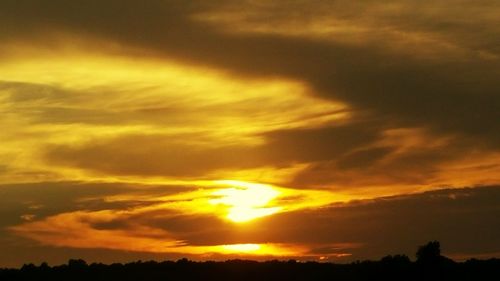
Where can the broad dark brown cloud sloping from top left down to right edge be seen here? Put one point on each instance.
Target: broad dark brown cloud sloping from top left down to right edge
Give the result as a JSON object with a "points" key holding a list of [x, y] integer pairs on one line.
{"points": [[456, 96]]}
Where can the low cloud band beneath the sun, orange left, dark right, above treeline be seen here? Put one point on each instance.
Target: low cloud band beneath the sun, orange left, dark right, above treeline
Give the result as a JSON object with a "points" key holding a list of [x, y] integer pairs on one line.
{"points": [[364, 229]]}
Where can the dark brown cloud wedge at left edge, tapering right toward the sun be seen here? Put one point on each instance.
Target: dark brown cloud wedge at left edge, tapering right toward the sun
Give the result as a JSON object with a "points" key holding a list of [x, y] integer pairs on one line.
{"points": [[50, 198]]}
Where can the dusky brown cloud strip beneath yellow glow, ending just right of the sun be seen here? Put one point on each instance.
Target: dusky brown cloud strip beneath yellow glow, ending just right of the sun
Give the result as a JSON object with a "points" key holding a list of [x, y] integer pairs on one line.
{"points": [[171, 156]]}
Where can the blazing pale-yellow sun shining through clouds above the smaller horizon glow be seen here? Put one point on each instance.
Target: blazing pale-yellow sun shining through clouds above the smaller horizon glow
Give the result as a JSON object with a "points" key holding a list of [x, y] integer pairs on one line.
{"points": [[246, 201]]}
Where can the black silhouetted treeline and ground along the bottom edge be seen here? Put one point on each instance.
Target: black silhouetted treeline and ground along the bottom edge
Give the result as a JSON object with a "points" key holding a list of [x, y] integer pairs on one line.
{"points": [[430, 265]]}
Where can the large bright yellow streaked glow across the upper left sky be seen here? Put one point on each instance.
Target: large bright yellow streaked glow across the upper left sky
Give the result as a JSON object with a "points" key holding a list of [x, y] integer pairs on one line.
{"points": [[142, 97]]}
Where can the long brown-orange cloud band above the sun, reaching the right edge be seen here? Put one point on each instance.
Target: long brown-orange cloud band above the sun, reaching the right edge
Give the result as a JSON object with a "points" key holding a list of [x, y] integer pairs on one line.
{"points": [[351, 157]]}
